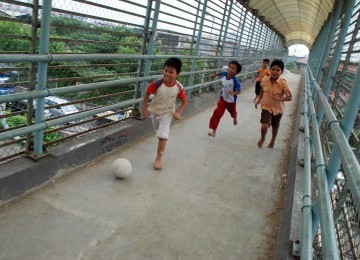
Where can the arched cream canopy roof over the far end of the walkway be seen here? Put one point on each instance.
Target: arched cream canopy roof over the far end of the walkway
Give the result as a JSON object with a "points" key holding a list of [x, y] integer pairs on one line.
{"points": [[299, 21]]}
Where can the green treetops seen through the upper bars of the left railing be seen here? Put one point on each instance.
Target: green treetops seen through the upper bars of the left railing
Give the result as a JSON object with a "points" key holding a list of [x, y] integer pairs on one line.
{"points": [[72, 35]]}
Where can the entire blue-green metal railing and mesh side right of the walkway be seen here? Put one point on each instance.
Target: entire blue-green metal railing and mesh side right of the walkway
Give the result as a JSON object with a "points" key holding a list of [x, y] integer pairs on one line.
{"points": [[331, 205]]}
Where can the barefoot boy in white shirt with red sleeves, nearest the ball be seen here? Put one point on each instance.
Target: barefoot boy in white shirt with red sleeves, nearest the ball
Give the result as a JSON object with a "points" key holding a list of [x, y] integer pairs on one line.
{"points": [[163, 107]]}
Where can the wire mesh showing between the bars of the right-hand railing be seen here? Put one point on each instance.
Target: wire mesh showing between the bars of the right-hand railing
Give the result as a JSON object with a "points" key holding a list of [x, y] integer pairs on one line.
{"points": [[346, 211]]}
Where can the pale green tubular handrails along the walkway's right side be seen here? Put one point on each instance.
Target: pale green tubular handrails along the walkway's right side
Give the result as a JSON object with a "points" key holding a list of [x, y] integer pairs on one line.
{"points": [[350, 164]]}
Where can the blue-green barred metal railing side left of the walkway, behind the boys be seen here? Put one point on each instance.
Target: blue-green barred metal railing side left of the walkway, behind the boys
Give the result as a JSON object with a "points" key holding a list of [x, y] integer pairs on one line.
{"points": [[100, 58]]}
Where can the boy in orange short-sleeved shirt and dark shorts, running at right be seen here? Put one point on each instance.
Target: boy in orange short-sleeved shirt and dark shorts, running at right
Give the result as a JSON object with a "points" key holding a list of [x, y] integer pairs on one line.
{"points": [[274, 92]]}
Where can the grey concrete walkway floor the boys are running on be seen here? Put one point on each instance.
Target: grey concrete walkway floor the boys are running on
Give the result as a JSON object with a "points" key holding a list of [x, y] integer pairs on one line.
{"points": [[216, 198]]}
